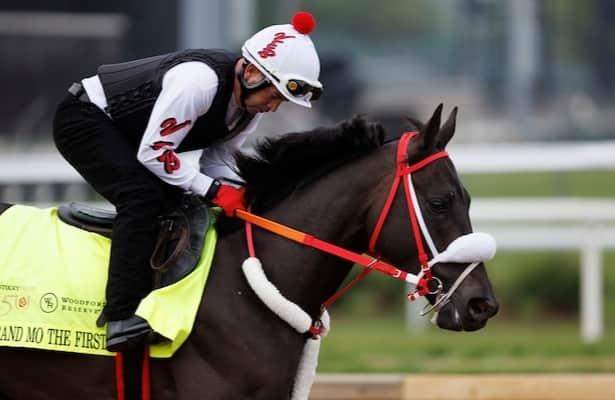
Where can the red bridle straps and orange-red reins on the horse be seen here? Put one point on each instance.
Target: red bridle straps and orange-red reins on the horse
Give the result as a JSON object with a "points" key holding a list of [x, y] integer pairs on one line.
{"points": [[403, 170]]}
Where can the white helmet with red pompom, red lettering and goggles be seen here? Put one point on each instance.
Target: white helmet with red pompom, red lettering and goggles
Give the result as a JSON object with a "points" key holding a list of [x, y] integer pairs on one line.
{"points": [[286, 56]]}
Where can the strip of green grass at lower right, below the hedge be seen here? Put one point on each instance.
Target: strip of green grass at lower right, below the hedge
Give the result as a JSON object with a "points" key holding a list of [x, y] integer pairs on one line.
{"points": [[383, 345]]}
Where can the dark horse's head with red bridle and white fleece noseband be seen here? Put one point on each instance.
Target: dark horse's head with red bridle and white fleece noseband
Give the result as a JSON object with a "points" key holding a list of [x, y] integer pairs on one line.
{"points": [[465, 299]]}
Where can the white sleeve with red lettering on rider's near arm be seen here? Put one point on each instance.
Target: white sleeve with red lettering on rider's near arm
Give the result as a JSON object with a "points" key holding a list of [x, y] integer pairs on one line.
{"points": [[188, 90]]}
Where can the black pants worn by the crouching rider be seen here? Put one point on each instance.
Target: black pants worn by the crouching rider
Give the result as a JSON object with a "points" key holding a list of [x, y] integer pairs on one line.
{"points": [[107, 160]]}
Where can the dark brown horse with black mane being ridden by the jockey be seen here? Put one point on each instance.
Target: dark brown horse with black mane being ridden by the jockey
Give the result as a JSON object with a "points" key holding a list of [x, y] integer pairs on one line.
{"points": [[332, 182]]}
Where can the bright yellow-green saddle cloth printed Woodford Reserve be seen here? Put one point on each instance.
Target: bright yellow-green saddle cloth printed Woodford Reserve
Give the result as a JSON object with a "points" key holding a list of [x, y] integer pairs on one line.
{"points": [[52, 287]]}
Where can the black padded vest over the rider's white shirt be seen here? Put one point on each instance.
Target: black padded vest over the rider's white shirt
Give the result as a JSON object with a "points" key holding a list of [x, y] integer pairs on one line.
{"points": [[131, 89]]}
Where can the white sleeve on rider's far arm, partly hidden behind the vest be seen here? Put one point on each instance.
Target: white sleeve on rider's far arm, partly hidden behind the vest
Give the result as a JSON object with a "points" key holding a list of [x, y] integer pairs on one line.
{"points": [[217, 160]]}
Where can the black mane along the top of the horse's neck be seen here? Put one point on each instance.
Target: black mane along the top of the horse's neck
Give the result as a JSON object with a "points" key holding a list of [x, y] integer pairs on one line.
{"points": [[282, 164]]}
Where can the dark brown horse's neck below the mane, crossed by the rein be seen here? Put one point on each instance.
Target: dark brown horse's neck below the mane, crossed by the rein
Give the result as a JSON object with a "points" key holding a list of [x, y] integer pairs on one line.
{"points": [[332, 209]]}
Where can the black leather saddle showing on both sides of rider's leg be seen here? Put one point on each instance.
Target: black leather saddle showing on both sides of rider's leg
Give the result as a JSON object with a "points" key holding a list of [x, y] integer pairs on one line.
{"points": [[180, 238]]}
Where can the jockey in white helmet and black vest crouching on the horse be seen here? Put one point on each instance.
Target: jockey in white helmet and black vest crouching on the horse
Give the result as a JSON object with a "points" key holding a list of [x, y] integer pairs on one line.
{"points": [[122, 130]]}
